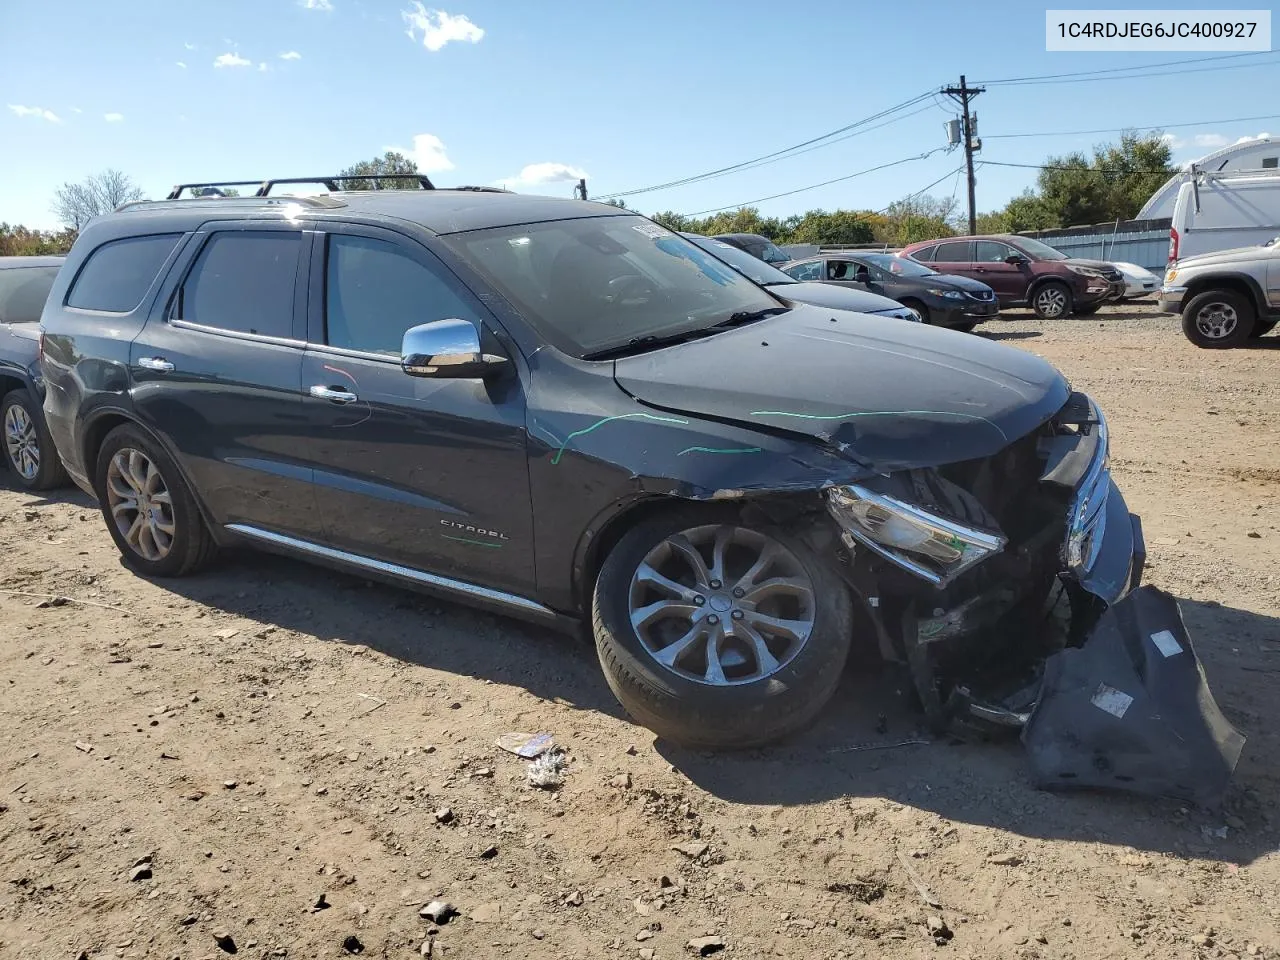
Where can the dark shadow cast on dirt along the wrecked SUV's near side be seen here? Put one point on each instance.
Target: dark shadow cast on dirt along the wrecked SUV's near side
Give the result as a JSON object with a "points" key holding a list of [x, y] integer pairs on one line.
{"points": [[857, 749]]}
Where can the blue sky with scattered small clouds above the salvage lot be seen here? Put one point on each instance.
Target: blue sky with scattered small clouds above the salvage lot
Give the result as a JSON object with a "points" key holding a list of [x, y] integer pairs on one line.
{"points": [[629, 94]]}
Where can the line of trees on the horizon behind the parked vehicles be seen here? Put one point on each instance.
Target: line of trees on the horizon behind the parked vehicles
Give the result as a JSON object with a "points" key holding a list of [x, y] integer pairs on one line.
{"points": [[1110, 184]]}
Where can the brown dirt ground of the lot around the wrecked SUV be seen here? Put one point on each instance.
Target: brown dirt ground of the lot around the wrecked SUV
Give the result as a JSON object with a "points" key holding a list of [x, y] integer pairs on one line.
{"points": [[271, 734]]}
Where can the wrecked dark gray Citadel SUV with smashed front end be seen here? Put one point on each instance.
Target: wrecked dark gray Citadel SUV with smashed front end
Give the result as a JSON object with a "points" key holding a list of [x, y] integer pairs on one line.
{"points": [[564, 412]]}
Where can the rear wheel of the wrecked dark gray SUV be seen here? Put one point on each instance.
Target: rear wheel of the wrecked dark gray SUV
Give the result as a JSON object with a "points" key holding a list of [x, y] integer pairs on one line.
{"points": [[149, 509]]}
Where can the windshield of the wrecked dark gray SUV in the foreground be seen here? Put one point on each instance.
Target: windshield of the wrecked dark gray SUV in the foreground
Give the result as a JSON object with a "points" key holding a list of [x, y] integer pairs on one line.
{"points": [[595, 285]]}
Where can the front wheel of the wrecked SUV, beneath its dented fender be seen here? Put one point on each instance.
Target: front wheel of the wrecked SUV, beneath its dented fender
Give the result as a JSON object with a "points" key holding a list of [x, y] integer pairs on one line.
{"points": [[720, 634]]}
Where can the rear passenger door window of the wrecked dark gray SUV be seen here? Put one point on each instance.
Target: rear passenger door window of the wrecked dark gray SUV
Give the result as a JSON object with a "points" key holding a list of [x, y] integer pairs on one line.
{"points": [[244, 282]]}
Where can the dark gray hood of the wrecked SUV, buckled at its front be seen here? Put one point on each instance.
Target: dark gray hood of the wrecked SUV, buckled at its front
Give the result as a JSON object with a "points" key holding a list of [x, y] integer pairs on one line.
{"points": [[889, 395]]}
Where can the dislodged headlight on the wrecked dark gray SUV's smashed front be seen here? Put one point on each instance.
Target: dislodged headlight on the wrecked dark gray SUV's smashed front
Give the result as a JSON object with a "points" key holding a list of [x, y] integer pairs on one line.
{"points": [[975, 546]]}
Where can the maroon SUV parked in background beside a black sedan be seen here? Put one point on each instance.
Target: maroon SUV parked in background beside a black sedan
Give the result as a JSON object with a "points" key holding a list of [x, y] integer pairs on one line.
{"points": [[1026, 272]]}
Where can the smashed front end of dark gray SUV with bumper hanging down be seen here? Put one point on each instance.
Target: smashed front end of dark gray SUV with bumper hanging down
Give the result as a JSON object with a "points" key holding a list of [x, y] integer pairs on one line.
{"points": [[1011, 588]]}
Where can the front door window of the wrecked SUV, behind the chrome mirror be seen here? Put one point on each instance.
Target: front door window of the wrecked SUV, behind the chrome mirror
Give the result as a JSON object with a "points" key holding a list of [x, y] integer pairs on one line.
{"points": [[376, 291]]}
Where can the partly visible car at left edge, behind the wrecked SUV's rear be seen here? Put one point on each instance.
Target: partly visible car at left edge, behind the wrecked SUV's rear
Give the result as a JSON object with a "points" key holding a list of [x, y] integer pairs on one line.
{"points": [[29, 451]]}
